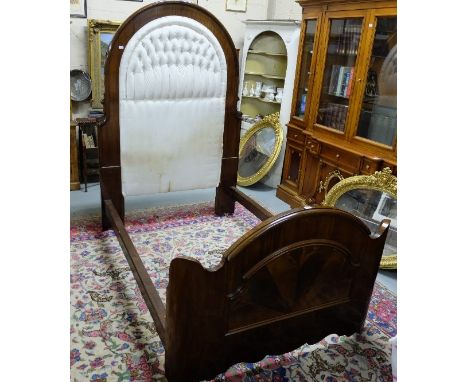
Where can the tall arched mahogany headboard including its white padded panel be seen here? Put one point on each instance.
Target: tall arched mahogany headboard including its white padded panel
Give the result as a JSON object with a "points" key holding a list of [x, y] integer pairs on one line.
{"points": [[171, 80]]}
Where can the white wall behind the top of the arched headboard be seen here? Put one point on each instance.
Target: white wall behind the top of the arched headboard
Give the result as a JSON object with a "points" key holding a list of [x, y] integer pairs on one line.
{"points": [[118, 10]]}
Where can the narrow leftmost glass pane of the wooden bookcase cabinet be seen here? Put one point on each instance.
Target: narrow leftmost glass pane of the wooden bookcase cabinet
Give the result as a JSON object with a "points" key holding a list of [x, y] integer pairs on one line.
{"points": [[304, 74]]}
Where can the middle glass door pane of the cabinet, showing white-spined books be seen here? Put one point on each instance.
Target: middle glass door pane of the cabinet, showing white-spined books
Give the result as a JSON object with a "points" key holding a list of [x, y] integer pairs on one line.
{"points": [[339, 71]]}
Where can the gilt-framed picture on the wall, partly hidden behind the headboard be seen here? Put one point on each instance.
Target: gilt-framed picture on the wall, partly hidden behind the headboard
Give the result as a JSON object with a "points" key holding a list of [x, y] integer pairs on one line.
{"points": [[100, 34]]}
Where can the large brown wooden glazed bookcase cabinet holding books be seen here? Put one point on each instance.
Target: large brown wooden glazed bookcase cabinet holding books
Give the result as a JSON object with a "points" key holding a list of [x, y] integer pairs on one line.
{"points": [[344, 107]]}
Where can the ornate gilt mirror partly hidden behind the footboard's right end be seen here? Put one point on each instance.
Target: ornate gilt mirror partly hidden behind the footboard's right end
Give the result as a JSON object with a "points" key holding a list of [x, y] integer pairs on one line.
{"points": [[371, 198]]}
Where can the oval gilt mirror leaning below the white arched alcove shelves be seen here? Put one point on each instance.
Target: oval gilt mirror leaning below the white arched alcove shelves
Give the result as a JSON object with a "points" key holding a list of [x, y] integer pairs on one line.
{"points": [[259, 149]]}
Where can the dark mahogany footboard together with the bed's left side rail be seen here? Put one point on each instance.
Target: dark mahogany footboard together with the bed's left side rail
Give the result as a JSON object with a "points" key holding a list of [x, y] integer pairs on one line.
{"points": [[295, 278]]}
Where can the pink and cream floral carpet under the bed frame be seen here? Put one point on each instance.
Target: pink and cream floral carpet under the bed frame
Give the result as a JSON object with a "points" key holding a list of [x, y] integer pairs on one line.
{"points": [[112, 335]]}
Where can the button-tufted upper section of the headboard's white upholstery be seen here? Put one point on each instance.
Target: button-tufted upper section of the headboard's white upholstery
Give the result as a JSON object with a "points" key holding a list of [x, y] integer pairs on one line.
{"points": [[169, 54]]}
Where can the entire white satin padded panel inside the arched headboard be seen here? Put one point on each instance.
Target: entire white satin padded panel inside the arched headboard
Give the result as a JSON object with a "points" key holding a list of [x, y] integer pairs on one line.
{"points": [[172, 88]]}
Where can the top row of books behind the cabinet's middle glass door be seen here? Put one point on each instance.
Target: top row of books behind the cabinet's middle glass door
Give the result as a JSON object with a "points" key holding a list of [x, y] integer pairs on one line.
{"points": [[344, 38]]}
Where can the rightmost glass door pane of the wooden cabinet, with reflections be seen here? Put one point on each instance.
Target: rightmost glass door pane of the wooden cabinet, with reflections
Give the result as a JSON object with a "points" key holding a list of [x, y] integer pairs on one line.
{"points": [[378, 114]]}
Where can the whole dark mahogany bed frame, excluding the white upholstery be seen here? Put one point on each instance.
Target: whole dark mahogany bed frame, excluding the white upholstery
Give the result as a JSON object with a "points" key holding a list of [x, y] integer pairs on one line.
{"points": [[294, 278]]}
